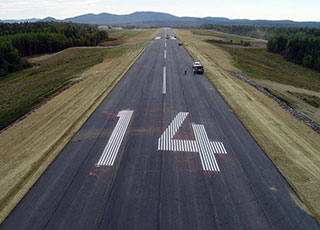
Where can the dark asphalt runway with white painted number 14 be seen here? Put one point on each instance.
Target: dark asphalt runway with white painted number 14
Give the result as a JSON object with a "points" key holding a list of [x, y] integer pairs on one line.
{"points": [[162, 151]]}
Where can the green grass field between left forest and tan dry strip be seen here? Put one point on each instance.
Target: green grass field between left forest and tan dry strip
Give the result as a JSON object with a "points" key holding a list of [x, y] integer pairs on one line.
{"points": [[20, 92]]}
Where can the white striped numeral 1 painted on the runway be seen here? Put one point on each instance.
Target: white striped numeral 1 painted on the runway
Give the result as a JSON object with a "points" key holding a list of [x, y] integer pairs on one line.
{"points": [[111, 150]]}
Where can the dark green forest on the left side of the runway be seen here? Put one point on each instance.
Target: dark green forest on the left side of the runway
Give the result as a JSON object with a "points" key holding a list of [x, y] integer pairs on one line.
{"points": [[19, 40]]}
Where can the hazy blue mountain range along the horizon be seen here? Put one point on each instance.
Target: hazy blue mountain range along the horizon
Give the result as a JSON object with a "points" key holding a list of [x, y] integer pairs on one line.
{"points": [[156, 19]]}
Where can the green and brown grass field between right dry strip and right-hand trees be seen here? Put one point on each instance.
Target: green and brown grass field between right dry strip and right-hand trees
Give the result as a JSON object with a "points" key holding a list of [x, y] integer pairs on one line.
{"points": [[282, 78]]}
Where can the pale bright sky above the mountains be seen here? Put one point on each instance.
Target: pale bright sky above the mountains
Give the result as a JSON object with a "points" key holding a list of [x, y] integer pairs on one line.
{"points": [[298, 10]]}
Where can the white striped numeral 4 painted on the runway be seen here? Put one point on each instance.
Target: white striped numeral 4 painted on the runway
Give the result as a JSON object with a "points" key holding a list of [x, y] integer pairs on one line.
{"points": [[201, 145]]}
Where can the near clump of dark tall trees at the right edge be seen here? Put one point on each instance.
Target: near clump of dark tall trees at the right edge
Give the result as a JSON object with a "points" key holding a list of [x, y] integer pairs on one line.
{"points": [[301, 48]]}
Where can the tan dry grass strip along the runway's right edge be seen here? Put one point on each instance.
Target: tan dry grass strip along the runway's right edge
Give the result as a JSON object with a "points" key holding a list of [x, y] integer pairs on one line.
{"points": [[289, 143]]}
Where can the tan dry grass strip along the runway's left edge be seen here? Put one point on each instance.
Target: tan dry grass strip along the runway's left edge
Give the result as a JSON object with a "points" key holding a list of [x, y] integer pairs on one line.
{"points": [[28, 147]]}
